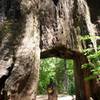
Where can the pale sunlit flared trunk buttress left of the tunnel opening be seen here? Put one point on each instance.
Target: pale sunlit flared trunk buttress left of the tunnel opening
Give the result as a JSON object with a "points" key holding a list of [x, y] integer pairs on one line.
{"points": [[22, 83]]}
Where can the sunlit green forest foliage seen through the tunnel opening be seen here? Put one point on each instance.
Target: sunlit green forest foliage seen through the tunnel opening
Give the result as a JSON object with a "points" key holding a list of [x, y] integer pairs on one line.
{"points": [[55, 68]]}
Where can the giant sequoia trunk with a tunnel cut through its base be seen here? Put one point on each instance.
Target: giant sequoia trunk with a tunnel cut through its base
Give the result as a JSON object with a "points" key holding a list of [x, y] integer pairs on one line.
{"points": [[47, 27]]}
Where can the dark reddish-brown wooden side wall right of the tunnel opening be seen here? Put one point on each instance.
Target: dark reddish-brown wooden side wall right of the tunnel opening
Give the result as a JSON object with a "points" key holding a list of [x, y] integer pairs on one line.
{"points": [[82, 86]]}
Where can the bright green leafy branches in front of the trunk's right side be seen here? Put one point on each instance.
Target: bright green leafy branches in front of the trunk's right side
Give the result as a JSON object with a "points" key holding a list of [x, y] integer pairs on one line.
{"points": [[94, 59]]}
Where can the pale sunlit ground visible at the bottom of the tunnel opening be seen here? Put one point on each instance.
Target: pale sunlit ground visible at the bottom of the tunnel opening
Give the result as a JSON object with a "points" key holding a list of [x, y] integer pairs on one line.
{"points": [[60, 97]]}
